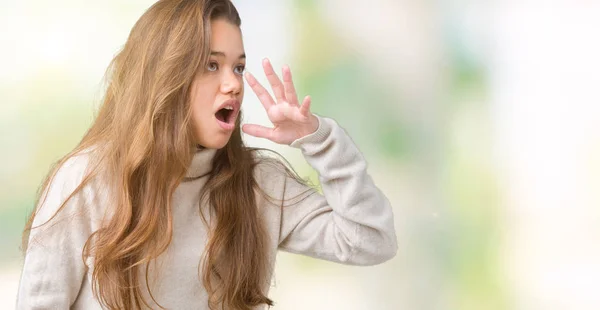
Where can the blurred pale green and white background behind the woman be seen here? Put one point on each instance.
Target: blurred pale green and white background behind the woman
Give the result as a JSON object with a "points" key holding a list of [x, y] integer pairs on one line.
{"points": [[479, 121]]}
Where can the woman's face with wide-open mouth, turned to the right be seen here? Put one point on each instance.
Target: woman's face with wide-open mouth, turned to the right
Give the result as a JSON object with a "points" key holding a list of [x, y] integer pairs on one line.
{"points": [[219, 85]]}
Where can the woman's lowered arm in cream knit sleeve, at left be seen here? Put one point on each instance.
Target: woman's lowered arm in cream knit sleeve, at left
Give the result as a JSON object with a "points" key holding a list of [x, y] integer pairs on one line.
{"points": [[53, 269]]}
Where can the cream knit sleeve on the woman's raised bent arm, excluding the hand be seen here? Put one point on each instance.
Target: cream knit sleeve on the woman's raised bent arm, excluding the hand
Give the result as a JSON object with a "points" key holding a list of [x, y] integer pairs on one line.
{"points": [[352, 222]]}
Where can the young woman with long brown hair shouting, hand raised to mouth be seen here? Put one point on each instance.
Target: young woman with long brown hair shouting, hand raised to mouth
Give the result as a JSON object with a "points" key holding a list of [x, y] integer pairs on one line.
{"points": [[161, 205]]}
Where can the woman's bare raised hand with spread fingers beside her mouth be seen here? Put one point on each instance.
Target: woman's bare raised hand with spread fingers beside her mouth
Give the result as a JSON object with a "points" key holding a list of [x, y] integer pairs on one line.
{"points": [[291, 120]]}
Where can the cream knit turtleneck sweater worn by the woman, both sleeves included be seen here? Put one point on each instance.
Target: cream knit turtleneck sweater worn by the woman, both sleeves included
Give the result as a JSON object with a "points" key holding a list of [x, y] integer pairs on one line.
{"points": [[352, 223]]}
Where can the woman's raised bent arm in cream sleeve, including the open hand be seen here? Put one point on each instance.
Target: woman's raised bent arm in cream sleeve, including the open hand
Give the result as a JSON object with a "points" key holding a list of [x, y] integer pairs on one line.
{"points": [[353, 222]]}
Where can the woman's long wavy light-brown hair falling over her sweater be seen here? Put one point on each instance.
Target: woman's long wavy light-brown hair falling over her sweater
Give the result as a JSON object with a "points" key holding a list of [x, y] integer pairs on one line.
{"points": [[143, 144]]}
